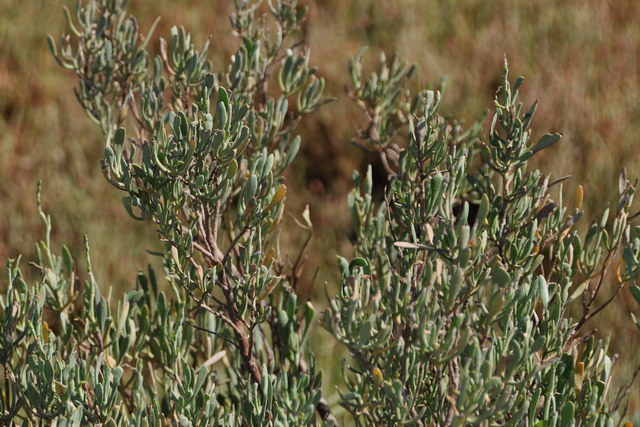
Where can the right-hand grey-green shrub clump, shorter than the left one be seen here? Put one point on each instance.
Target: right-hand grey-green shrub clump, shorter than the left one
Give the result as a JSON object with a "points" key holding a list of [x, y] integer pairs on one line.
{"points": [[455, 306]]}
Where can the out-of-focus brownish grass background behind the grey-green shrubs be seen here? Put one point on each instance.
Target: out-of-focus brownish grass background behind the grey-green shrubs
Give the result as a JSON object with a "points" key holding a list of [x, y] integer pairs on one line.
{"points": [[580, 58]]}
